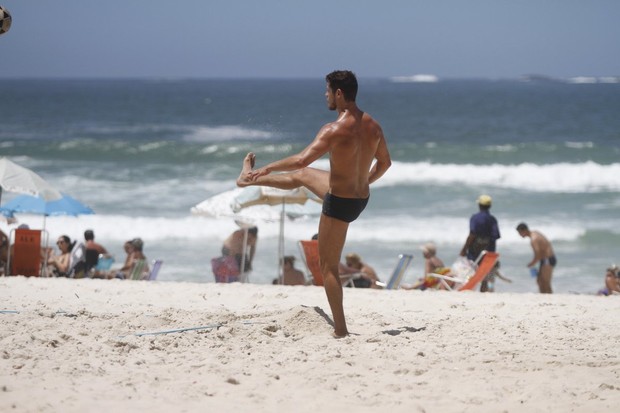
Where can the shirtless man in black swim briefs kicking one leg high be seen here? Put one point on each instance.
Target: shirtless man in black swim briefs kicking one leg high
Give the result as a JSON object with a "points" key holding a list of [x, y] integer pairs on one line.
{"points": [[354, 141]]}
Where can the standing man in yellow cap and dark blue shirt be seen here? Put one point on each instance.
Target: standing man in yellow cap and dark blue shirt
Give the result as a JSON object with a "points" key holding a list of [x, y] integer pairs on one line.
{"points": [[483, 232]]}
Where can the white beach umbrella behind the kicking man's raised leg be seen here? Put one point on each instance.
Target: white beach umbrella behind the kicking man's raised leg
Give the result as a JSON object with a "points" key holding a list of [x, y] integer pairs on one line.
{"points": [[254, 203]]}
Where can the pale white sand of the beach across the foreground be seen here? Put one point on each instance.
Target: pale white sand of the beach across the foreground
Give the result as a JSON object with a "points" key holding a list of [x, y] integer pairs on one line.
{"points": [[71, 348]]}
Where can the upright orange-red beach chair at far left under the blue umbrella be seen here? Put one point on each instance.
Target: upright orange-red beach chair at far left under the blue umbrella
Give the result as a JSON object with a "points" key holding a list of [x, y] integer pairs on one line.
{"points": [[24, 256]]}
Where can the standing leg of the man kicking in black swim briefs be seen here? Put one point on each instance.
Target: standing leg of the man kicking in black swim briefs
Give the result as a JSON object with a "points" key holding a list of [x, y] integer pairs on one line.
{"points": [[332, 236]]}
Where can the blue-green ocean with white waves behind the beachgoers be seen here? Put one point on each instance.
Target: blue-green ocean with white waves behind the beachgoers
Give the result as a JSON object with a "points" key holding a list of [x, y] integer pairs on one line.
{"points": [[142, 153]]}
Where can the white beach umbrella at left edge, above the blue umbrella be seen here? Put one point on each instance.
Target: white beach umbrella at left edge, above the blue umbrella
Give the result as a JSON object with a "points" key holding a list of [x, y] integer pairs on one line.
{"points": [[16, 178]]}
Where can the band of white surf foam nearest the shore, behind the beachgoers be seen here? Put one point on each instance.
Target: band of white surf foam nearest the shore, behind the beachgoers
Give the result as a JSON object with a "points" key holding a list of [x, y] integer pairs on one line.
{"points": [[382, 229]]}
